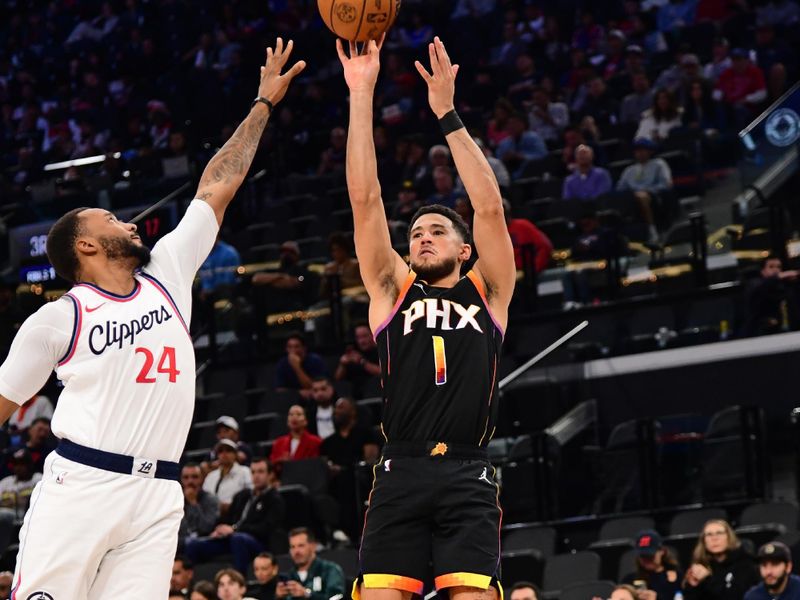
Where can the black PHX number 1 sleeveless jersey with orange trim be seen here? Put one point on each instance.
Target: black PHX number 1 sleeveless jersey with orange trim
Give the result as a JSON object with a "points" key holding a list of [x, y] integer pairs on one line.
{"points": [[439, 351]]}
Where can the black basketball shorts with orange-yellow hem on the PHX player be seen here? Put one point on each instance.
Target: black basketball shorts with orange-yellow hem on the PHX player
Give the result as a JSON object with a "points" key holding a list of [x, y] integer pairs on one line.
{"points": [[432, 503]]}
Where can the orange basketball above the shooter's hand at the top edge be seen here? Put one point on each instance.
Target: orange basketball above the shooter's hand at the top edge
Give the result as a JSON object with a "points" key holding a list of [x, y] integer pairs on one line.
{"points": [[358, 23]]}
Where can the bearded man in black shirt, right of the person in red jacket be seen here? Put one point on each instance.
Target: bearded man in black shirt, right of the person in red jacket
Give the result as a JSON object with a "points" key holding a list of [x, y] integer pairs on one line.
{"points": [[348, 446]]}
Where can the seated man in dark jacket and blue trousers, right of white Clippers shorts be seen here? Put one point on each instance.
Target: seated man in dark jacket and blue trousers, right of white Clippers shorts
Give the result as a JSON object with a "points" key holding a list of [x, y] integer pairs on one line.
{"points": [[247, 527]]}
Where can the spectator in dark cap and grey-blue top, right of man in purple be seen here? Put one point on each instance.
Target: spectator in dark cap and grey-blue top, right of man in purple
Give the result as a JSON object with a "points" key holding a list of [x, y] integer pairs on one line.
{"points": [[647, 179]]}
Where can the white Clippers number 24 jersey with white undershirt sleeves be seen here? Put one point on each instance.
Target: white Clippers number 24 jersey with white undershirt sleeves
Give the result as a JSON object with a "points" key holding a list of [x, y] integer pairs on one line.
{"points": [[127, 363]]}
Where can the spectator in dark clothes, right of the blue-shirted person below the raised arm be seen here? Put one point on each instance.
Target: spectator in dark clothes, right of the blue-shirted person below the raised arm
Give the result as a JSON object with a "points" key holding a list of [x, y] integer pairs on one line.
{"points": [[289, 285]]}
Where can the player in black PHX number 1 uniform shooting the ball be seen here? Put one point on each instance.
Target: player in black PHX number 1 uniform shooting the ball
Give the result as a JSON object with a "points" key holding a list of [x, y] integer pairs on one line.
{"points": [[434, 498]]}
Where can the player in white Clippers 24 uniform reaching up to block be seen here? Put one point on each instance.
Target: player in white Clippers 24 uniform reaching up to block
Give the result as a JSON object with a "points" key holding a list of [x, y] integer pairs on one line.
{"points": [[103, 522]]}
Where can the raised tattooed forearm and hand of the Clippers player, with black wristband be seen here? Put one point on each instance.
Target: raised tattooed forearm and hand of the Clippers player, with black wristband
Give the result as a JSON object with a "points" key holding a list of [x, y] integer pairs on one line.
{"points": [[226, 171]]}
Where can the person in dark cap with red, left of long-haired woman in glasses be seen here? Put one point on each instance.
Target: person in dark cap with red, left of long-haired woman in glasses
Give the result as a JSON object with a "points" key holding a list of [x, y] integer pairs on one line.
{"points": [[656, 568]]}
